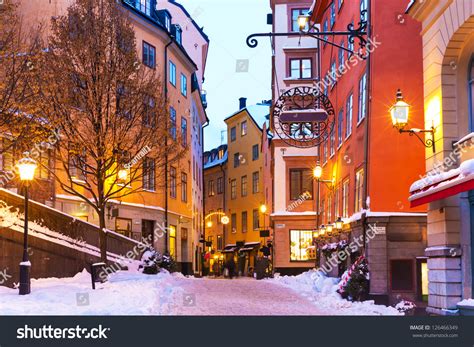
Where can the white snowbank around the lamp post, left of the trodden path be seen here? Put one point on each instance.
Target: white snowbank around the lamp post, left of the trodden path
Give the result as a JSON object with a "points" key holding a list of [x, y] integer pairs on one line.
{"points": [[126, 293]]}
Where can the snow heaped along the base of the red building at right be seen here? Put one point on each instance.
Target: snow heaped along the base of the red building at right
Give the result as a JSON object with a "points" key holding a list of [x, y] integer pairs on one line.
{"points": [[321, 290]]}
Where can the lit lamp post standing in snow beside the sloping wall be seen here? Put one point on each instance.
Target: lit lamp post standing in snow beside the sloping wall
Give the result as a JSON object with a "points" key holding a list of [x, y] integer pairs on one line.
{"points": [[26, 167]]}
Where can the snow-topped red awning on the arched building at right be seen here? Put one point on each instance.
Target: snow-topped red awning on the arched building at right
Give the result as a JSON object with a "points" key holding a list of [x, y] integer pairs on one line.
{"points": [[442, 189]]}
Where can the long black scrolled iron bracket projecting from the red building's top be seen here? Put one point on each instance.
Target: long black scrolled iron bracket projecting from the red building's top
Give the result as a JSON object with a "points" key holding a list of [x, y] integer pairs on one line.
{"points": [[359, 33]]}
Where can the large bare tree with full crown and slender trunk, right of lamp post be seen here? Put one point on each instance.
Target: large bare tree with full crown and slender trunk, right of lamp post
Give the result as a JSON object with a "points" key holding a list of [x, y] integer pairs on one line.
{"points": [[110, 109]]}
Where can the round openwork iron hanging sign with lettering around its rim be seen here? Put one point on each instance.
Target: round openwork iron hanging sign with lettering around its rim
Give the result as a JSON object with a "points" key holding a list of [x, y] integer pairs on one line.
{"points": [[303, 117]]}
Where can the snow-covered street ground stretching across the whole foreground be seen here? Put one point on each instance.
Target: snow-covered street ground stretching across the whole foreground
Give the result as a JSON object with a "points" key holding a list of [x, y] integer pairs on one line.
{"points": [[132, 293]]}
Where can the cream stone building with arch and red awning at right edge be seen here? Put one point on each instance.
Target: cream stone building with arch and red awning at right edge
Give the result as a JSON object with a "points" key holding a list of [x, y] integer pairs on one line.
{"points": [[447, 188]]}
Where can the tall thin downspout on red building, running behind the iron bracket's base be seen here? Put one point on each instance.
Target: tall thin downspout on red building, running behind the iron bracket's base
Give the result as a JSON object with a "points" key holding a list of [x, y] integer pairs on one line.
{"points": [[367, 128]]}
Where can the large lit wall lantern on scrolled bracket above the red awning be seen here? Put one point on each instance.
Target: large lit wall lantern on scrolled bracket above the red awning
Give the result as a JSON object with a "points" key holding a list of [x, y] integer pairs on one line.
{"points": [[400, 113]]}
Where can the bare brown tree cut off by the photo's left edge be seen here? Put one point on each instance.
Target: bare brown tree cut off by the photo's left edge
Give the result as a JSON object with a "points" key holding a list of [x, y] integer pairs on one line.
{"points": [[19, 52]]}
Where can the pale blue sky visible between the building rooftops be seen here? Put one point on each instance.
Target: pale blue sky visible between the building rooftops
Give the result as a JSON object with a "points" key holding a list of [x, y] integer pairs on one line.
{"points": [[233, 69]]}
